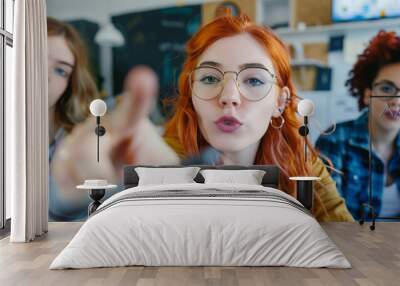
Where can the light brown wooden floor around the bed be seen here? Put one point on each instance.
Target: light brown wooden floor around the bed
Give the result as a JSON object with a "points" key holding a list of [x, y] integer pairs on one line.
{"points": [[374, 255]]}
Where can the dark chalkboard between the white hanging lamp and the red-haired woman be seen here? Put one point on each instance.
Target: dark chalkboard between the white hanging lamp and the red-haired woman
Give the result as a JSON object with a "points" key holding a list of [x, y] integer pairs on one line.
{"points": [[155, 38]]}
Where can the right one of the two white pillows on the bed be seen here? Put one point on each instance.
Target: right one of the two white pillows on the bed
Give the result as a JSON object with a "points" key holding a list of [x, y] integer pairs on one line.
{"points": [[248, 177]]}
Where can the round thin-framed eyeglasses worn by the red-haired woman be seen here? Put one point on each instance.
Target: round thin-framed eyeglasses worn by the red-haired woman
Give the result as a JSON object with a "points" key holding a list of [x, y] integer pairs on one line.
{"points": [[253, 83]]}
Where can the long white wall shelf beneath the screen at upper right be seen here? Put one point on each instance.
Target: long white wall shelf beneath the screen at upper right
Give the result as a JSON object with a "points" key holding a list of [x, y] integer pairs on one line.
{"points": [[322, 33]]}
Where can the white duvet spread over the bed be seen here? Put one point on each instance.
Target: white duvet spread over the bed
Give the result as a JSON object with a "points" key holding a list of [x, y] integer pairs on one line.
{"points": [[200, 231]]}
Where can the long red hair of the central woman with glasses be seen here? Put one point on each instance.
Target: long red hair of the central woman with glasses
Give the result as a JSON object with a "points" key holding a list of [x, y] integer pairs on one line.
{"points": [[282, 147]]}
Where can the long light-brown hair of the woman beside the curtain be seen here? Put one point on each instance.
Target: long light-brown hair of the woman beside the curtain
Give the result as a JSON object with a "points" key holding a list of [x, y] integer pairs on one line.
{"points": [[73, 106]]}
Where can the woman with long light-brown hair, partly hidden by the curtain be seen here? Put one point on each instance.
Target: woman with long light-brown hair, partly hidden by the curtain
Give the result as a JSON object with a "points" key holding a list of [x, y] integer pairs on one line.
{"points": [[71, 88]]}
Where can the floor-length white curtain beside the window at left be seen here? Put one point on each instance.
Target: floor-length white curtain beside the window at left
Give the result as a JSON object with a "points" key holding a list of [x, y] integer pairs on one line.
{"points": [[27, 124]]}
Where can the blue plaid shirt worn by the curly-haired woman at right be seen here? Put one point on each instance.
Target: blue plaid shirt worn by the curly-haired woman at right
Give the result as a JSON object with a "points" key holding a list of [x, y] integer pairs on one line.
{"points": [[348, 149]]}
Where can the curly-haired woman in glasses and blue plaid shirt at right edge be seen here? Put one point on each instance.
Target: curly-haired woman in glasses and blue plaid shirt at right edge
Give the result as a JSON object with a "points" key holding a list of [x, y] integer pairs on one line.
{"points": [[376, 73]]}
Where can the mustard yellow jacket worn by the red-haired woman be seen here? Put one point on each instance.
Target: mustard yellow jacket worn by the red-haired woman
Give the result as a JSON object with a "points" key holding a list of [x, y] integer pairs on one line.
{"points": [[328, 204]]}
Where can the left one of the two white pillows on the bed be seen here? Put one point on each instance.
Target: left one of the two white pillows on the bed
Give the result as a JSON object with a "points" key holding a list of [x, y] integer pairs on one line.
{"points": [[162, 176]]}
